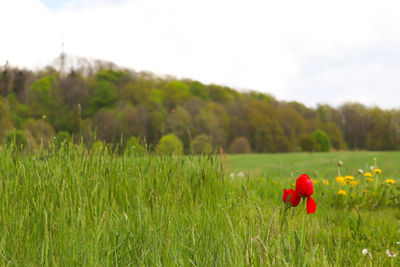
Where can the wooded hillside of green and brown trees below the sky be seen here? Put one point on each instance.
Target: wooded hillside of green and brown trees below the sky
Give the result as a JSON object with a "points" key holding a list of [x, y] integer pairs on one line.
{"points": [[99, 102]]}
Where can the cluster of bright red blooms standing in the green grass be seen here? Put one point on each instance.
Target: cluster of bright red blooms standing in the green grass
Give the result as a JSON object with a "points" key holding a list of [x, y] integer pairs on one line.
{"points": [[304, 189]]}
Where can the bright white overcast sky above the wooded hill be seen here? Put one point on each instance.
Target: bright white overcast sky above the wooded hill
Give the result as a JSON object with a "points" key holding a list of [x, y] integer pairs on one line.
{"points": [[308, 51]]}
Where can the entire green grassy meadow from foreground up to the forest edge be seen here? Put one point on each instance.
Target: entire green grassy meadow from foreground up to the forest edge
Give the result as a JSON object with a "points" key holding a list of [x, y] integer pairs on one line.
{"points": [[80, 207]]}
